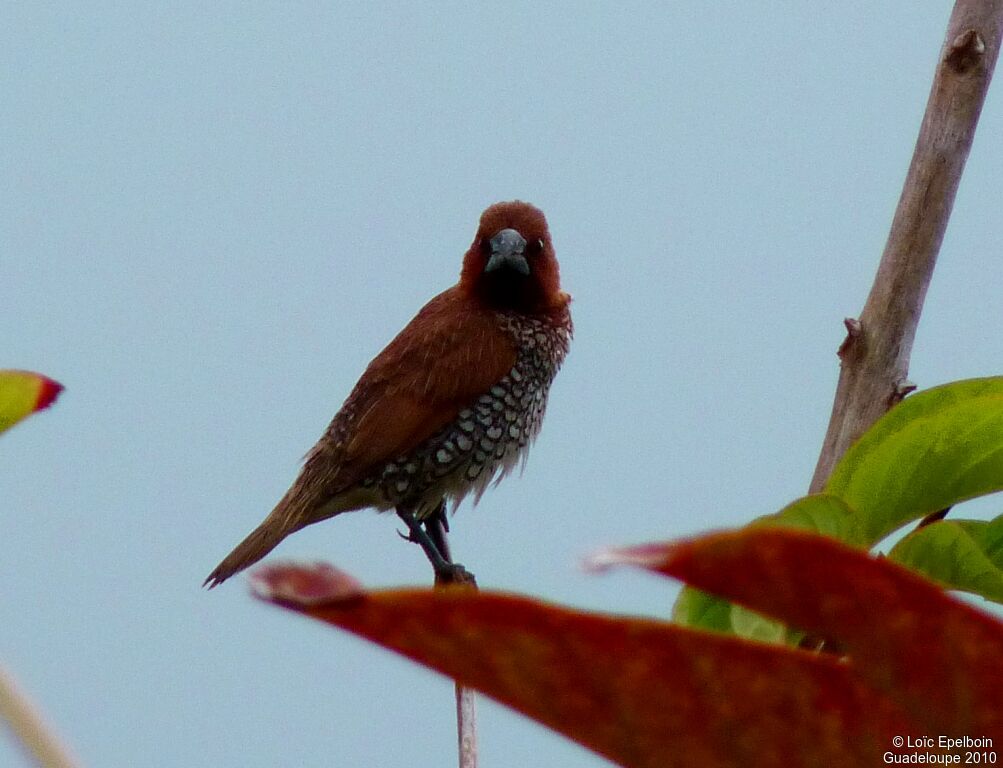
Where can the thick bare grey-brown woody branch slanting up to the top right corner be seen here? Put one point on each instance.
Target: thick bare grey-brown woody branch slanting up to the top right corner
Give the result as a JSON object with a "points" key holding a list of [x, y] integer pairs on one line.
{"points": [[875, 356]]}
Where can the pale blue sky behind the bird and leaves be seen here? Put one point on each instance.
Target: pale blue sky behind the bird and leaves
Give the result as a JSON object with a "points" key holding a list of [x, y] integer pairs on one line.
{"points": [[213, 216]]}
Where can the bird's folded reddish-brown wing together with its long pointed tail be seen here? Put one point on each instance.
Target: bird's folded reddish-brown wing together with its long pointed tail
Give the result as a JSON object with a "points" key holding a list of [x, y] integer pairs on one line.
{"points": [[453, 352]]}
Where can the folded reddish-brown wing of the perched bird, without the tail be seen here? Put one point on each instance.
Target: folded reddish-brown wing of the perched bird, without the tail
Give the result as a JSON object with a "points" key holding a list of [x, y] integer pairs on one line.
{"points": [[448, 356]]}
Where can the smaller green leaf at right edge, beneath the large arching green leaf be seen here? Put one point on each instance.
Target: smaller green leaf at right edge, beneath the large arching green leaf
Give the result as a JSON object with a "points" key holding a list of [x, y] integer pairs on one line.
{"points": [[961, 555]]}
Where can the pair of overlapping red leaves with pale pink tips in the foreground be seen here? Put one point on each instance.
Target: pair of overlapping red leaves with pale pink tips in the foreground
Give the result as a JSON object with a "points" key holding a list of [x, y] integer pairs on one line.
{"points": [[646, 693]]}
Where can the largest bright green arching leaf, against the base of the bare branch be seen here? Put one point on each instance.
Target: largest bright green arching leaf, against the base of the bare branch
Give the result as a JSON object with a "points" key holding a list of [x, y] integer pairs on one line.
{"points": [[933, 451]]}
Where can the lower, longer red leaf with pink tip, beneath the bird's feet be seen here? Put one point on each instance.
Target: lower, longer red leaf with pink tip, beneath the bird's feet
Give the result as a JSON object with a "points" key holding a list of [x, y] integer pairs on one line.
{"points": [[642, 693]]}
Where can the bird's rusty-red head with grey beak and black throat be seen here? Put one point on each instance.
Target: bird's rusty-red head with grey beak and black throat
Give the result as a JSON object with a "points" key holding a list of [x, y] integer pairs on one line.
{"points": [[511, 264]]}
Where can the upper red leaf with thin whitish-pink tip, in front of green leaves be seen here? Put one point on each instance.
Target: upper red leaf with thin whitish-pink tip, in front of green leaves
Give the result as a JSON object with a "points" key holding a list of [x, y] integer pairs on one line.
{"points": [[939, 659]]}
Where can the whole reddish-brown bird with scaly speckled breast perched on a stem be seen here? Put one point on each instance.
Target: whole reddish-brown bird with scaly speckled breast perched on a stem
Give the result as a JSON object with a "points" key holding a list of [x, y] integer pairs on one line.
{"points": [[452, 404]]}
